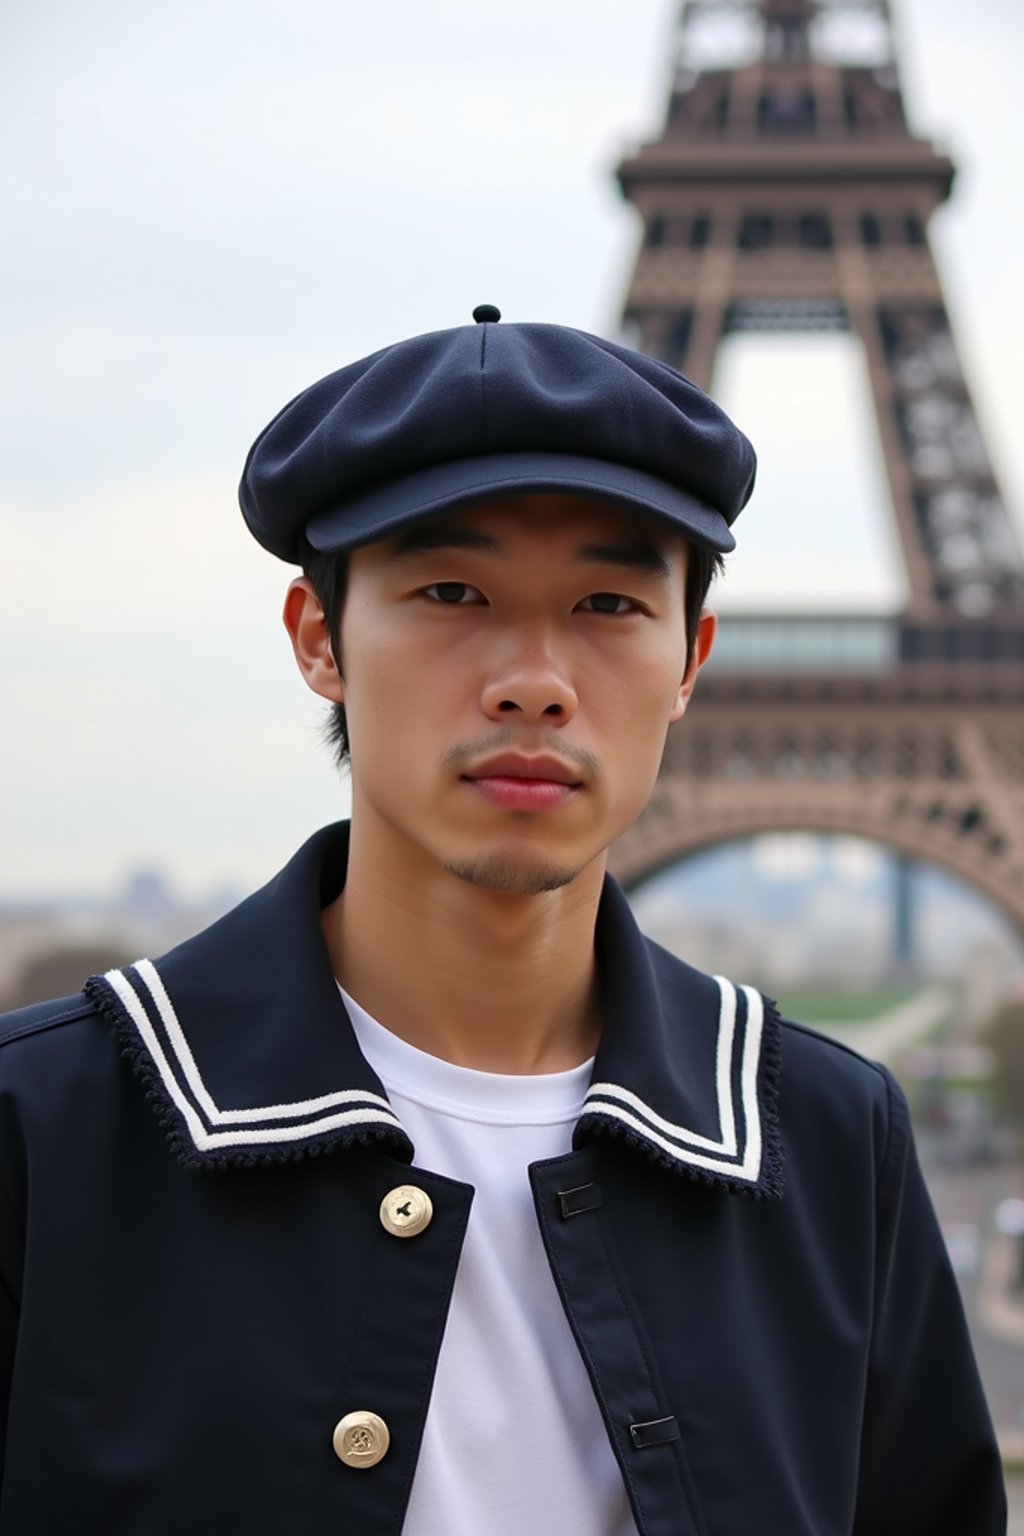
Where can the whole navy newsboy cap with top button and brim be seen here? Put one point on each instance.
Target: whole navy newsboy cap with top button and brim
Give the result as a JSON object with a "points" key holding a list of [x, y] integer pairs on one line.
{"points": [[458, 417]]}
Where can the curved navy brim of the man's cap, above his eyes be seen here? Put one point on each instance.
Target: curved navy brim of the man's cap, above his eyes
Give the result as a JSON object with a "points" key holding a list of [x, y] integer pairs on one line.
{"points": [[386, 509]]}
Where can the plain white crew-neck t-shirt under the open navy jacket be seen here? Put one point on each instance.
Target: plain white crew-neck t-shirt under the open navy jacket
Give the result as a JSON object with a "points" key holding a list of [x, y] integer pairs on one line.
{"points": [[515, 1443]]}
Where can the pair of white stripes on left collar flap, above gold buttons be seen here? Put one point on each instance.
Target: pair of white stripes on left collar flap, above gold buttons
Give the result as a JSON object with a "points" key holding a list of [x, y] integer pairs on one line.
{"points": [[190, 1094]]}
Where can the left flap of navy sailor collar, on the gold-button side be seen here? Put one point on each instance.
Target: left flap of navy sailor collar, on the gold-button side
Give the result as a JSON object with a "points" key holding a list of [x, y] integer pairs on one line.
{"points": [[242, 1036]]}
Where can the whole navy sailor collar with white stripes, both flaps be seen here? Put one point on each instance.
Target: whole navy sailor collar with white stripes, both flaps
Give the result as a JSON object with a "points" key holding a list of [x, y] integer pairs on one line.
{"points": [[243, 1044]]}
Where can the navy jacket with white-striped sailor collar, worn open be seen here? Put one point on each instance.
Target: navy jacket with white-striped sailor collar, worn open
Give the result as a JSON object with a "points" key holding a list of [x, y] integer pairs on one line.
{"points": [[196, 1283]]}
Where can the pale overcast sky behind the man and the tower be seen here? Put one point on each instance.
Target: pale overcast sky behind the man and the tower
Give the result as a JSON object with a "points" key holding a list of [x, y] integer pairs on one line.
{"points": [[208, 205]]}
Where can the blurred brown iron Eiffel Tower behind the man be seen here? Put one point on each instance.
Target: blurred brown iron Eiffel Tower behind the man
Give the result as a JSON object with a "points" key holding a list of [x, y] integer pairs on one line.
{"points": [[788, 194]]}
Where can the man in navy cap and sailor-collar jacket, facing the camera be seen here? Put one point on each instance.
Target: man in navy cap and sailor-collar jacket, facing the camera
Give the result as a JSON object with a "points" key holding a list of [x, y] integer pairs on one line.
{"points": [[431, 1197]]}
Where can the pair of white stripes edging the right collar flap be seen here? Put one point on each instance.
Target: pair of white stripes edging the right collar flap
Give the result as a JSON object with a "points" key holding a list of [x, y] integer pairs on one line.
{"points": [[724, 1156]]}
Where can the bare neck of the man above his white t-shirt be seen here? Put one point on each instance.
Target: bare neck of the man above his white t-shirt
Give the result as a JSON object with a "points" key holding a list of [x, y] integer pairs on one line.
{"points": [[484, 979]]}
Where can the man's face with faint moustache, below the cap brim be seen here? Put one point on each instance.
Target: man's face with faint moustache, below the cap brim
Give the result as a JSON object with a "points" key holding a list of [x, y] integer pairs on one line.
{"points": [[510, 674]]}
